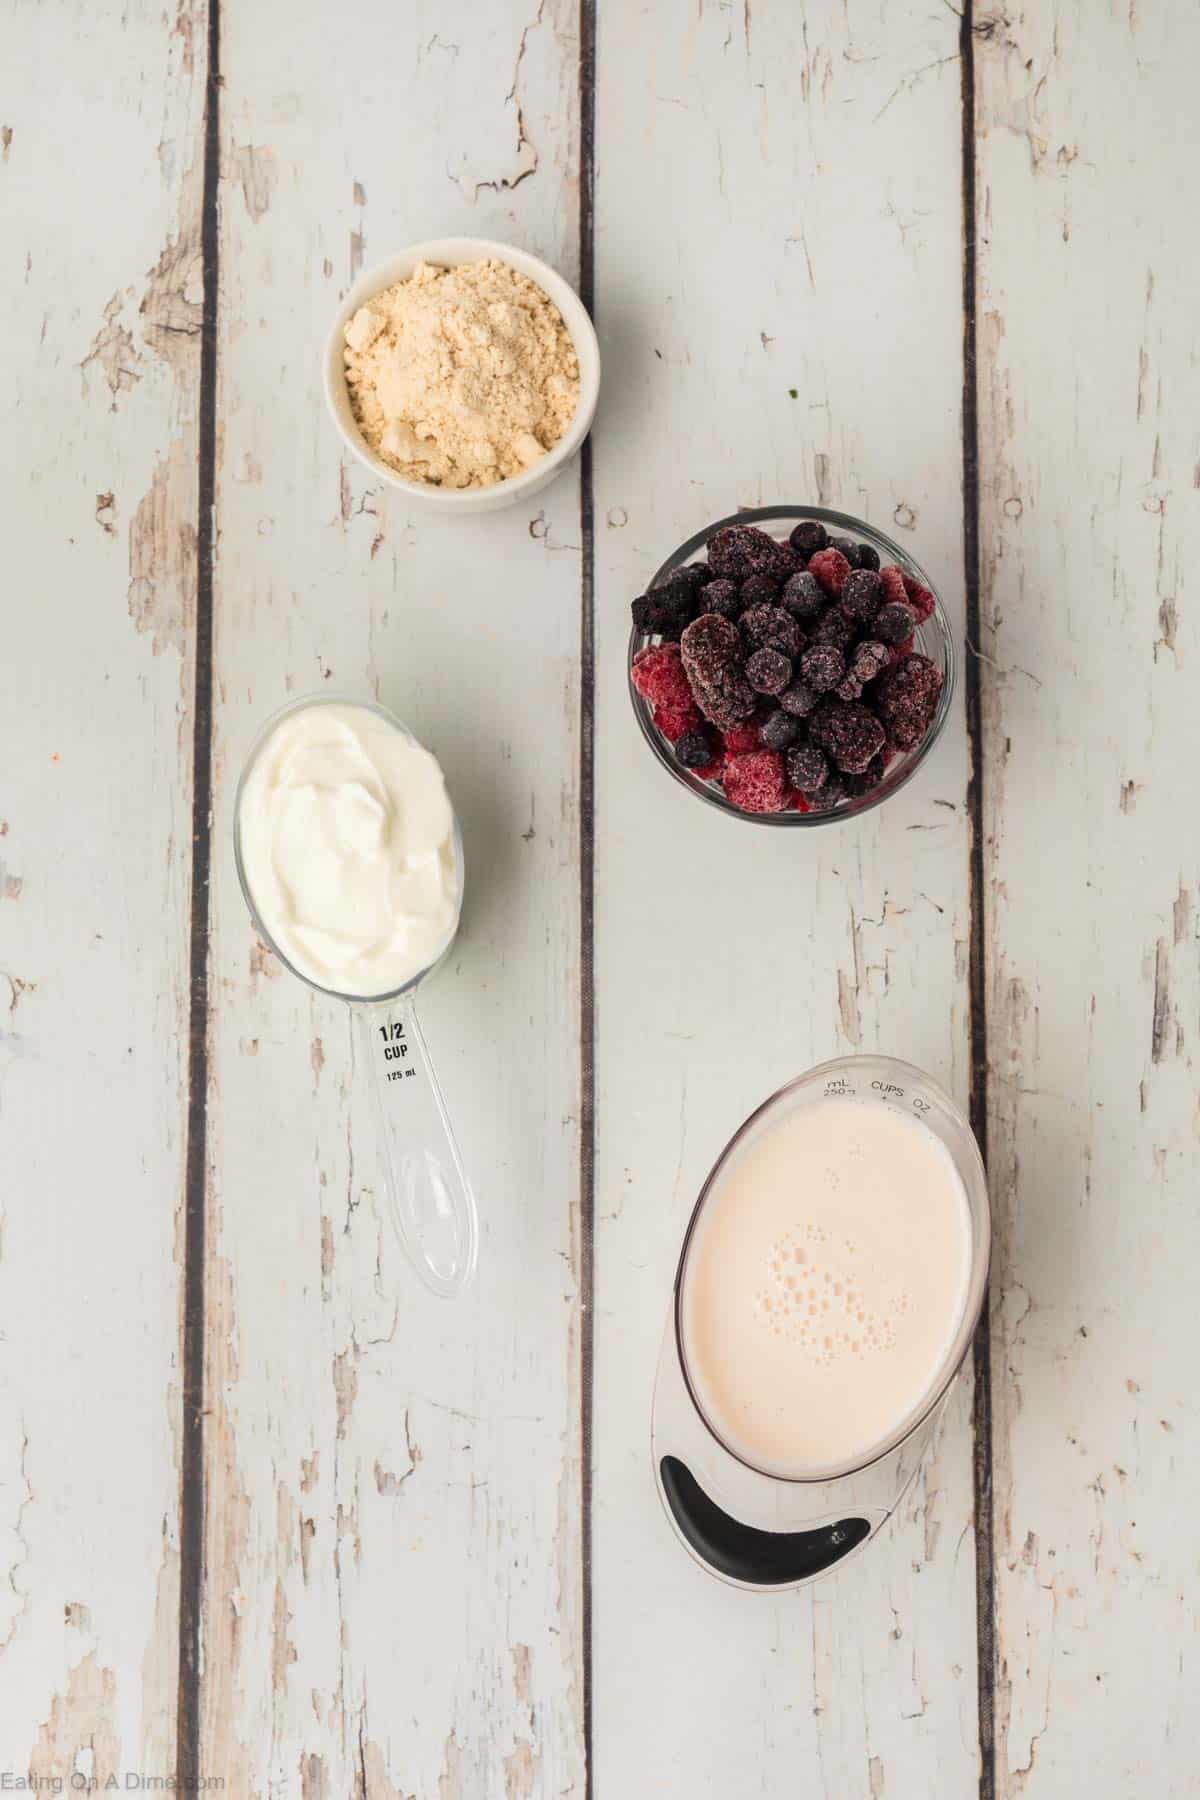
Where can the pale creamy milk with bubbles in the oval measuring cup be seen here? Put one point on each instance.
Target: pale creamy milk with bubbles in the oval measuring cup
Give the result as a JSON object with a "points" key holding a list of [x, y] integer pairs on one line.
{"points": [[823, 1288]]}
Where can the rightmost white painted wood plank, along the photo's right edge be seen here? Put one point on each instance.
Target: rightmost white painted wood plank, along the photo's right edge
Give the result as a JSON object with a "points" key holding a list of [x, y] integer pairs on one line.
{"points": [[1089, 273]]}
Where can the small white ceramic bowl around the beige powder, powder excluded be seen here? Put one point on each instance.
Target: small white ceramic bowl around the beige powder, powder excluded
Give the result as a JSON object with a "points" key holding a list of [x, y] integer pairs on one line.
{"points": [[449, 253]]}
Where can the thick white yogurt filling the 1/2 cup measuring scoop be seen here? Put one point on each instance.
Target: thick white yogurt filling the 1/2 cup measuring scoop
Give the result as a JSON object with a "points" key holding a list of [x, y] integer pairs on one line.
{"points": [[348, 849]]}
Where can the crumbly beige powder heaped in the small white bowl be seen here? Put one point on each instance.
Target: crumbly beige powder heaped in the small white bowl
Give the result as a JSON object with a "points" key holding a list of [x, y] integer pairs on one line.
{"points": [[461, 377]]}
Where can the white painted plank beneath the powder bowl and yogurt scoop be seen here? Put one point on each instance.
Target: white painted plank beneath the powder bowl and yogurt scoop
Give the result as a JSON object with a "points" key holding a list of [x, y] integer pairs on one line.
{"points": [[395, 1484]]}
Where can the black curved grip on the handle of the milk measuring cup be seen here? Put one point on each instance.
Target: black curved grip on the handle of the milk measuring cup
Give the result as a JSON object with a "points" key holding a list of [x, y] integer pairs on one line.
{"points": [[744, 1552]]}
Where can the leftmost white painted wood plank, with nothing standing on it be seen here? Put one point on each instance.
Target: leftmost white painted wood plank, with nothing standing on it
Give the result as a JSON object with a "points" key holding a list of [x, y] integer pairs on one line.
{"points": [[100, 507]]}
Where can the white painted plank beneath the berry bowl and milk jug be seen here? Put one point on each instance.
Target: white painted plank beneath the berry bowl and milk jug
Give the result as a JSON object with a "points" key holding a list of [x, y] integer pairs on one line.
{"points": [[778, 208]]}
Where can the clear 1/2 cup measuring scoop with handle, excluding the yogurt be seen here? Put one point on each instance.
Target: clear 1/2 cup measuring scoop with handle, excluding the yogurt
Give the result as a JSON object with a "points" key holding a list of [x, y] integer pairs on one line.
{"points": [[429, 1196]]}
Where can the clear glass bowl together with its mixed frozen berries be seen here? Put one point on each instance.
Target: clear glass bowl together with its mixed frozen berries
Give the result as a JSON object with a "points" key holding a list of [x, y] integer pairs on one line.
{"points": [[791, 665]]}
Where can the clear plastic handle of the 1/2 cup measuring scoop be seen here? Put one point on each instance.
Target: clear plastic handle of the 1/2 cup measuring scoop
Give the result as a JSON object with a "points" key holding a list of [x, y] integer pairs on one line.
{"points": [[429, 1196]]}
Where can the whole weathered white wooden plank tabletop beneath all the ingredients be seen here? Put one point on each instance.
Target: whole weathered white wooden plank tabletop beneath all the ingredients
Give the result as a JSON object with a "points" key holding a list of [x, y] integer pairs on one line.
{"points": [[265, 1511]]}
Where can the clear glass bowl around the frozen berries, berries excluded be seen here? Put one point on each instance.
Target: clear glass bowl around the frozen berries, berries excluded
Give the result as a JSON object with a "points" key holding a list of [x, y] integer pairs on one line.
{"points": [[933, 640]]}
